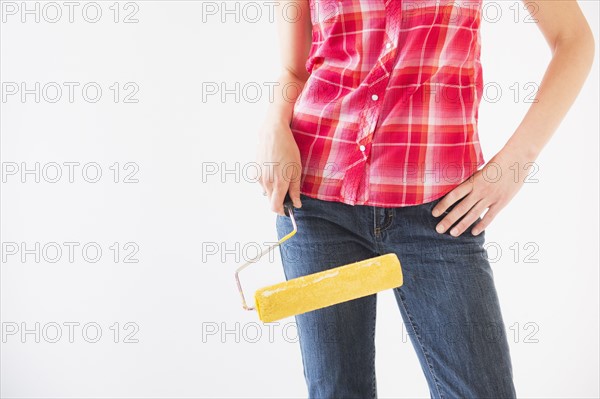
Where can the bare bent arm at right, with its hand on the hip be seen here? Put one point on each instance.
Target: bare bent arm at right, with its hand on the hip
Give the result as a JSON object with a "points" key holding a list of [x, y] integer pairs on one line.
{"points": [[572, 45]]}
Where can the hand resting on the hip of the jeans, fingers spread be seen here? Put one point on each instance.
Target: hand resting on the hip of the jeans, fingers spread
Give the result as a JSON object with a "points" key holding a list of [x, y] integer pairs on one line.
{"points": [[491, 187]]}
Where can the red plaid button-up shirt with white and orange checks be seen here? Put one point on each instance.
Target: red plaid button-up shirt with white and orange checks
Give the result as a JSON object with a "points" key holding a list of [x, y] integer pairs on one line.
{"points": [[388, 115]]}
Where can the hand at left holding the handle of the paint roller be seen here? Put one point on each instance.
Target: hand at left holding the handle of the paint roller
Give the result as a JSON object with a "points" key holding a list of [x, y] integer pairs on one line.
{"points": [[279, 159]]}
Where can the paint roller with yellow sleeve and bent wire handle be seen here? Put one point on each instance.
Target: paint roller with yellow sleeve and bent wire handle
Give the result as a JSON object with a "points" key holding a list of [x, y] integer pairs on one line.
{"points": [[322, 289]]}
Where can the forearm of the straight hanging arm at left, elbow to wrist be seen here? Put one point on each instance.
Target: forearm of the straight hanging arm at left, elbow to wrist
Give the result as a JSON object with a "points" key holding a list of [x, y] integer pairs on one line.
{"points": [[280, 111]]}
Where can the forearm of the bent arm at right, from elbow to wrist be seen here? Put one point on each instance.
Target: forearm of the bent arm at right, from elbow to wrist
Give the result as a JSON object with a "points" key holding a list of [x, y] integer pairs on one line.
{"points": [[566, 73]]}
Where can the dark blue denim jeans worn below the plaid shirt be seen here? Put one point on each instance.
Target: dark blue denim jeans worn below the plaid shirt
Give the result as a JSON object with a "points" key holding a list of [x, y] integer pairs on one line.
{"points": [[448, 301]]}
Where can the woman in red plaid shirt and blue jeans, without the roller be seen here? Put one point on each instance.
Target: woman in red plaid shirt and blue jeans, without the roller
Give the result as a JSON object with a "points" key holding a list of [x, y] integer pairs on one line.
{"points": [[379, 150]]}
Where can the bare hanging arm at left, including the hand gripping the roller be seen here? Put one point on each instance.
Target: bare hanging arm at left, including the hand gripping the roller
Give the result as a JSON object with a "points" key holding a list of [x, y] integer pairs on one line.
{"points": [[277, 149]]}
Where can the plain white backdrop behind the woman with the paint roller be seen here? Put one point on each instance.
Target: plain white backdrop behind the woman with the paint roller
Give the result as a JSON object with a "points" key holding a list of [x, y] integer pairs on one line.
{"points": [[194, 339]]}
